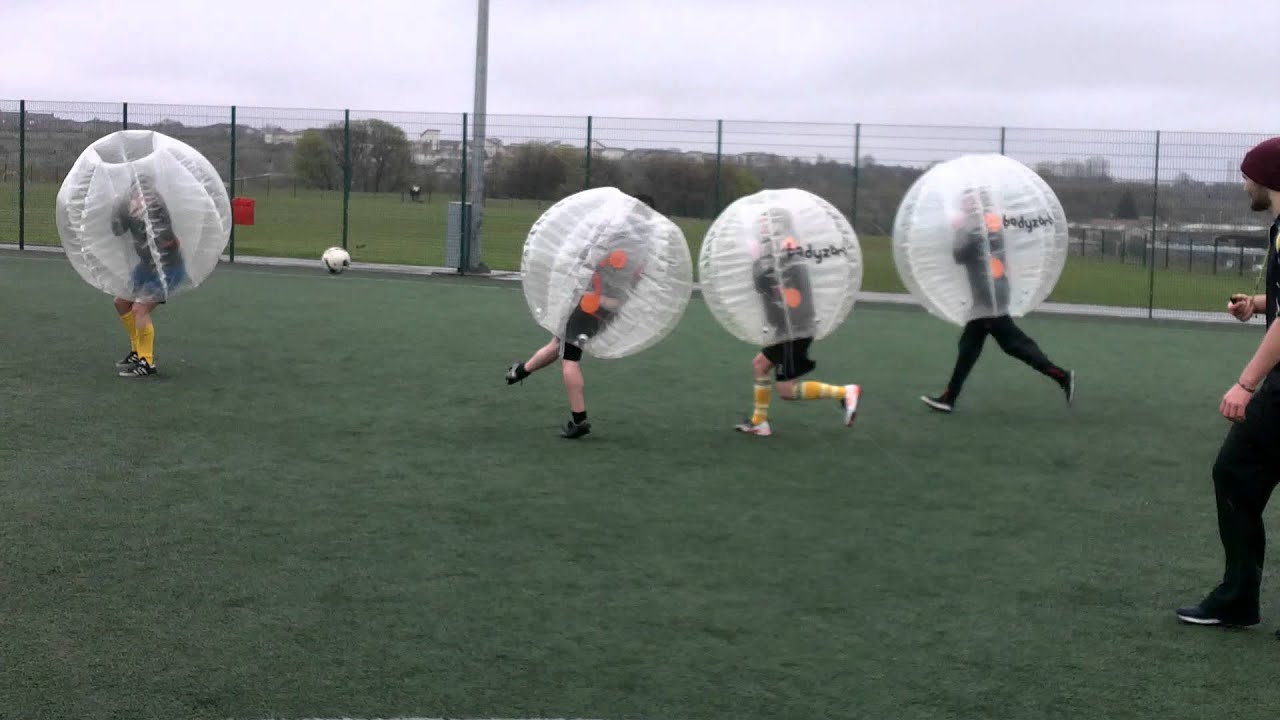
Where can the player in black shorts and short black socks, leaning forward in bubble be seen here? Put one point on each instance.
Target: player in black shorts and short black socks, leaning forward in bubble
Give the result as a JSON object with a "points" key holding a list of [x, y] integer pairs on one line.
{"points": [[618, 271]]}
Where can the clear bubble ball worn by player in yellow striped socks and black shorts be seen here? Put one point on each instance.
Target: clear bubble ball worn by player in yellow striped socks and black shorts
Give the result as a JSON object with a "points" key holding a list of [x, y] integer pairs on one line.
{"points": [[780, 266]]}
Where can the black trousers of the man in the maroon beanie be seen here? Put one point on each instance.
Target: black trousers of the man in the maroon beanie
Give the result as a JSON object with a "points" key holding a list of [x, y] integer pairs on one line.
{"points": [[1245, 473]]}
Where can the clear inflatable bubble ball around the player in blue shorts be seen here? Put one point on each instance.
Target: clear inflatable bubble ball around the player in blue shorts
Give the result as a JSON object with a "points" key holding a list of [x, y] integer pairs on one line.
{"points": [[143, 216]]}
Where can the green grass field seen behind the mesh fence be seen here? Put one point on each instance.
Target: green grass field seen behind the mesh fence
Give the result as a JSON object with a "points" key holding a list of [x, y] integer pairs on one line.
{"points": [[383, 229]]}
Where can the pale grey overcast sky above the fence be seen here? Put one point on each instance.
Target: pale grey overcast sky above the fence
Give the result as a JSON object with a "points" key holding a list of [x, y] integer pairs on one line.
{"points": [[1172, 65]]}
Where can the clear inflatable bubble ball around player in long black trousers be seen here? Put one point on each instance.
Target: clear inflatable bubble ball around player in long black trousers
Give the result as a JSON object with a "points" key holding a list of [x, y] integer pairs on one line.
{"points": [[981, 236]]}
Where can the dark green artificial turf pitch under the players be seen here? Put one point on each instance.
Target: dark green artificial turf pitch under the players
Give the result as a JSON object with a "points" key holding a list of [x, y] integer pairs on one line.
{"points": [[331, 505]]}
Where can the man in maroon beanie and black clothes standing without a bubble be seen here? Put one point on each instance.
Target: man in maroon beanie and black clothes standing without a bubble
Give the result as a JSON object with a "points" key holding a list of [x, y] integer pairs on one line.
{"points": [[1249, 464]]}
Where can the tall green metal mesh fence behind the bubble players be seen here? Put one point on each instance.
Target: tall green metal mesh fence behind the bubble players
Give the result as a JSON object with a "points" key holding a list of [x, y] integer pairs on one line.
{"points": [[1158, 221]]}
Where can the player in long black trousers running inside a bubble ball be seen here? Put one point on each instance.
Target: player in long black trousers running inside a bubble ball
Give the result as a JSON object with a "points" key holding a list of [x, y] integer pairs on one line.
{"points": [[980, 248]]}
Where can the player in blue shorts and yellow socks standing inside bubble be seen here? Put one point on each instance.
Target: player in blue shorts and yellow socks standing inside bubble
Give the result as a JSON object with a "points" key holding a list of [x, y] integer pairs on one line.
{"points": [[144, 217]]}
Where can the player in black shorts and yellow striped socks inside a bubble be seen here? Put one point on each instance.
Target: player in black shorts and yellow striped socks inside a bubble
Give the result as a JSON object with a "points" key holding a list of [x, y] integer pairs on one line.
{"points": [[781, 277]]}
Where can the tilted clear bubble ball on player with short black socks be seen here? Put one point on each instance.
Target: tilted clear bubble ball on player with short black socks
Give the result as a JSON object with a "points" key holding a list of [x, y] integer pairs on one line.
{"points": [[606, 272]]}
